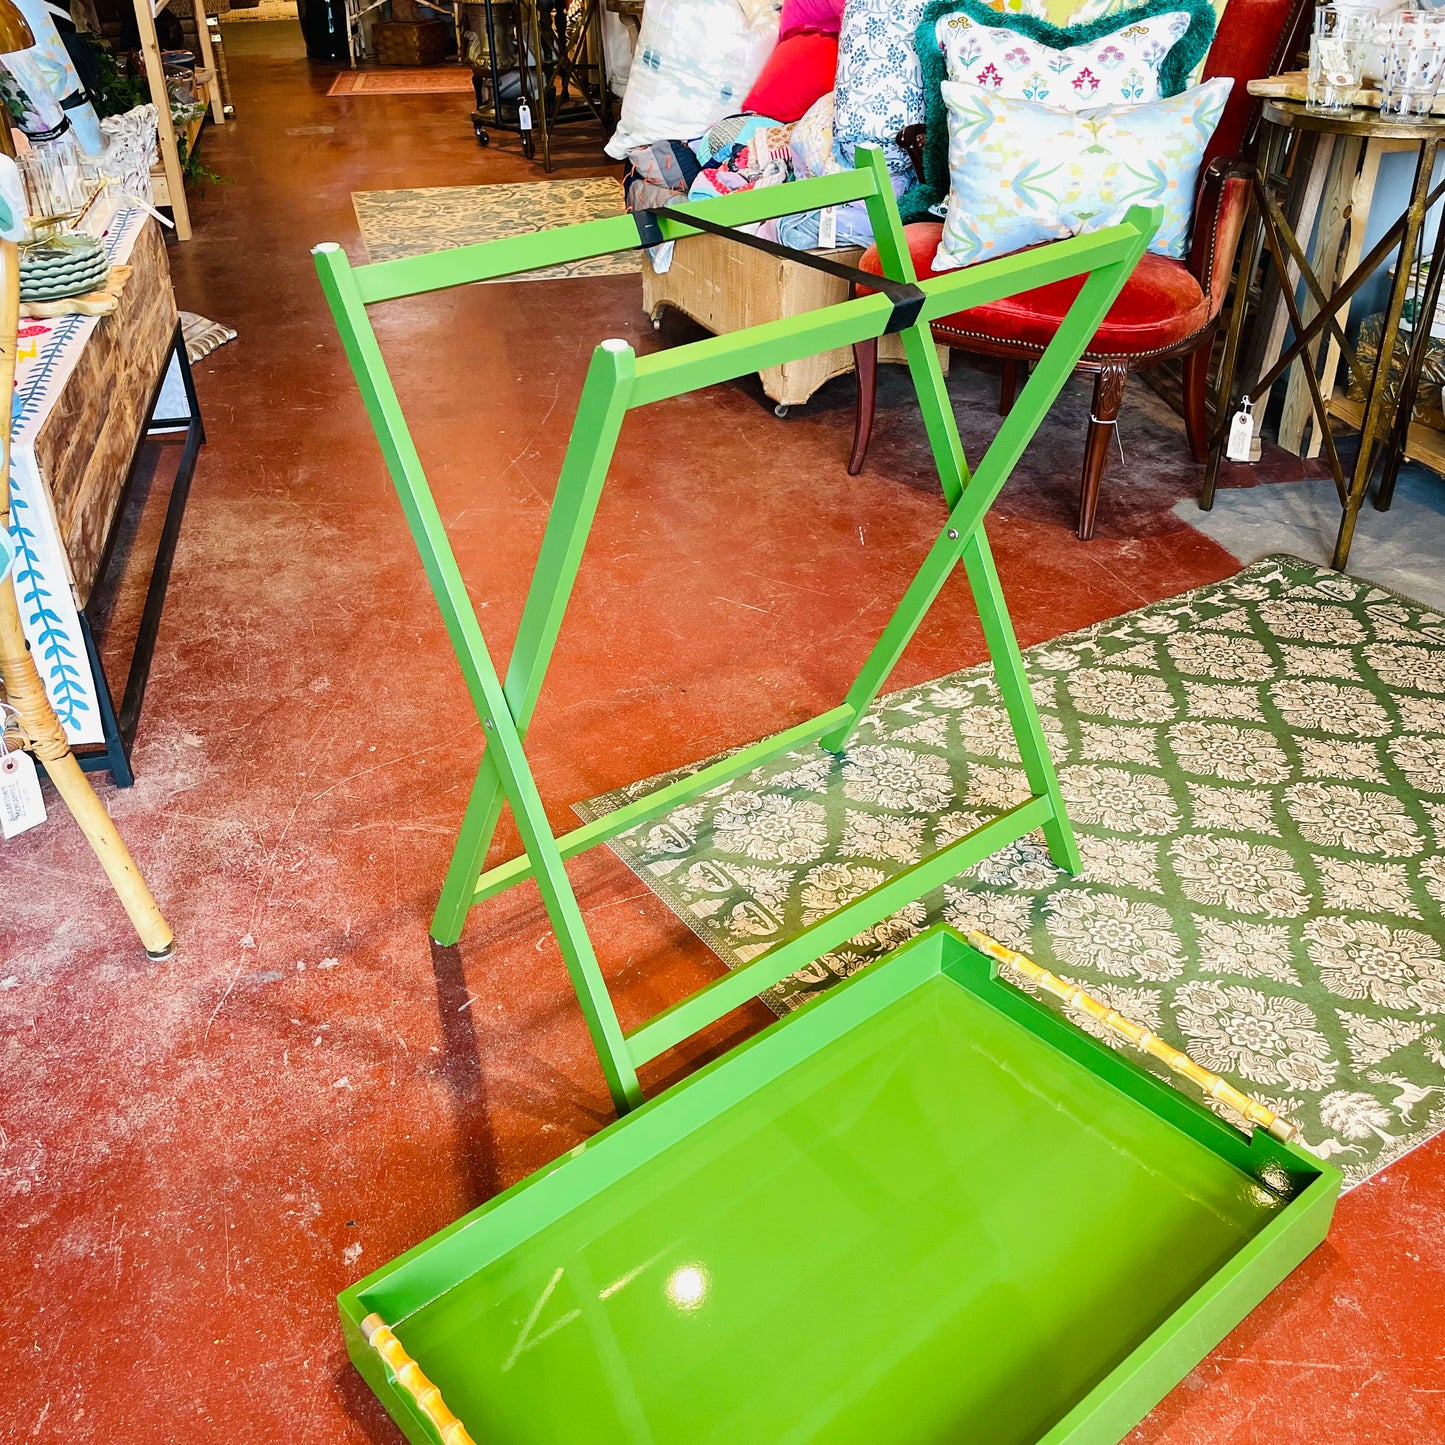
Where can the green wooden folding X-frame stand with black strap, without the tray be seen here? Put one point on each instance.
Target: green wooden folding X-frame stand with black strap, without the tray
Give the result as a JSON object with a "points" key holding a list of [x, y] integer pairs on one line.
{"points": [[619, 381]]}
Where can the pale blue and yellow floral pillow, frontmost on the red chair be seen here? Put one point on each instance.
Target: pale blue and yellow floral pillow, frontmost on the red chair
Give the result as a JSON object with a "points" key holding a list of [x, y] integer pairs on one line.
{"points": [[1025, 173]]}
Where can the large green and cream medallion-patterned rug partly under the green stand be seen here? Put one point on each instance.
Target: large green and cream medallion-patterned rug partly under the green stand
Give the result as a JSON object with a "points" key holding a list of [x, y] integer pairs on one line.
{"points": [[1256, 772]]}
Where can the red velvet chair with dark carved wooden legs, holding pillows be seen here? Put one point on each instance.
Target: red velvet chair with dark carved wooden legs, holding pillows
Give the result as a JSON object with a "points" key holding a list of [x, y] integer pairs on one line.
{"points": [[1168, 309]]}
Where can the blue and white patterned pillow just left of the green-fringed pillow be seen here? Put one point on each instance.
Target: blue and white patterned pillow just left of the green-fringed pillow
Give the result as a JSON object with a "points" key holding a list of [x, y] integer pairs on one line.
{"points": [[879, 87]]}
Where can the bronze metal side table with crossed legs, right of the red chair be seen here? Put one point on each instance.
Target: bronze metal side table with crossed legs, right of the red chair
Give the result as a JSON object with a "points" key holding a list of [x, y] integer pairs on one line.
{"points": [[1384, 430]]}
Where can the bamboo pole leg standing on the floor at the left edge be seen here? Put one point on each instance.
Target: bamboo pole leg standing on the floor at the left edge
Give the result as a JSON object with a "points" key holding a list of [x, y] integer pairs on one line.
{"points": [[25, 691]]}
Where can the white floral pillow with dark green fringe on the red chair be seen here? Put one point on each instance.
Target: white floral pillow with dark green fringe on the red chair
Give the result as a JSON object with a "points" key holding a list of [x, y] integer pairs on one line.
{"points": [[1136, 57]]}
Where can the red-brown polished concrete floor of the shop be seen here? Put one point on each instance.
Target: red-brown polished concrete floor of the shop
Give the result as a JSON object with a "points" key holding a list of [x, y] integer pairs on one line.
{"points": [[196, 1157]]}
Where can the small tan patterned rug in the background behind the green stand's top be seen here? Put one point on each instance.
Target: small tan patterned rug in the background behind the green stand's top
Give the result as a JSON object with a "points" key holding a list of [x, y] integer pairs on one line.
{"points": [[434, 219]]}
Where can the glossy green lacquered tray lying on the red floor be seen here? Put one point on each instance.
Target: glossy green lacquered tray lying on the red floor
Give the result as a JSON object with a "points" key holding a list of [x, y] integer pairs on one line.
{"points": [[923, 1210]]}
